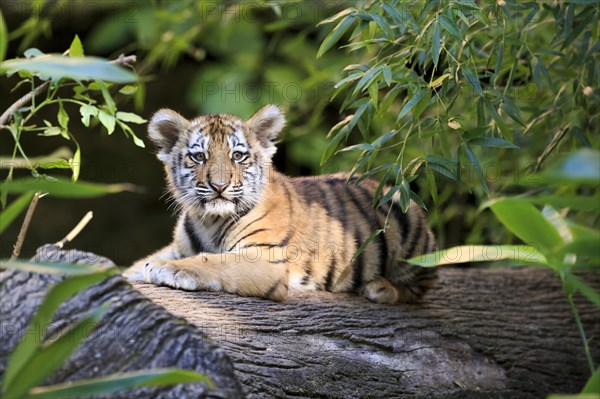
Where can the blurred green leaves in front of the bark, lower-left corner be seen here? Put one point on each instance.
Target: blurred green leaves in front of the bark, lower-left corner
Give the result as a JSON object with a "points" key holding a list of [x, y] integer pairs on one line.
{"points": [[35, 359]]}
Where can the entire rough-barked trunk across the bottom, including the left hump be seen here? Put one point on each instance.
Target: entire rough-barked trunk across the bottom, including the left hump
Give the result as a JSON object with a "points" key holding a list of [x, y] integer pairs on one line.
{"points": [[480, 333]]}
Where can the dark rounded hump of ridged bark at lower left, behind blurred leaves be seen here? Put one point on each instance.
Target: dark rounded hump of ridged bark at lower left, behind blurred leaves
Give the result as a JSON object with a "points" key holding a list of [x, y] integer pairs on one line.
{"points": [[135, 334]]}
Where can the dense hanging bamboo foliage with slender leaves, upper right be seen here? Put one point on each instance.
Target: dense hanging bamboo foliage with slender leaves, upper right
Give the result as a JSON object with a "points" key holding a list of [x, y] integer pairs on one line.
{"points": [[472, 95]]}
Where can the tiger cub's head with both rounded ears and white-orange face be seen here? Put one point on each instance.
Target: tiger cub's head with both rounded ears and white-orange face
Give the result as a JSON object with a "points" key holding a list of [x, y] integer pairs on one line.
{"points": [[216, 164]]}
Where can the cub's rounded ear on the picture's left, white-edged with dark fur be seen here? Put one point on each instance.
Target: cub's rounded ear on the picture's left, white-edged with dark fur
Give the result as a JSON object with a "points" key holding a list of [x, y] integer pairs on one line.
{"points": [[164, 129]]}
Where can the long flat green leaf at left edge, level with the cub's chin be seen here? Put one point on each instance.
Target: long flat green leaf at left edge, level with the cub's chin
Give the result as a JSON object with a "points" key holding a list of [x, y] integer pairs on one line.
{"points": [[64, 189]]}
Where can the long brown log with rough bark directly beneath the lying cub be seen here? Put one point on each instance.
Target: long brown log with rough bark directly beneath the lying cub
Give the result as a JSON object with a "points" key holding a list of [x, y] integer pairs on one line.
{"points": [[482, 333]]}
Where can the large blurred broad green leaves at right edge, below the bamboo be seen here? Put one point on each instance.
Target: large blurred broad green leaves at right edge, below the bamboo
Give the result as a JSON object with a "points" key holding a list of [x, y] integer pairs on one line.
{"points": [[554, 241]]}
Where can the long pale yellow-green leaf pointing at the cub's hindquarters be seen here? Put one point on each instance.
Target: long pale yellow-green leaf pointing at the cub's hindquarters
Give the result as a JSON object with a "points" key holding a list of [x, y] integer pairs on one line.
{"points": [[480, 253]]}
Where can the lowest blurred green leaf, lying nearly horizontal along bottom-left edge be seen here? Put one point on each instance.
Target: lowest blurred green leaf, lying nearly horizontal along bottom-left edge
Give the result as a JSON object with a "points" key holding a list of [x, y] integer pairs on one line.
{"points": [[114, 383]]}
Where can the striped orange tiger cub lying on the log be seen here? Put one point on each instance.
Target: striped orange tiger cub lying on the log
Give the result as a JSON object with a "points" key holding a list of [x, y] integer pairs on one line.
{"points": [[246, 229]]}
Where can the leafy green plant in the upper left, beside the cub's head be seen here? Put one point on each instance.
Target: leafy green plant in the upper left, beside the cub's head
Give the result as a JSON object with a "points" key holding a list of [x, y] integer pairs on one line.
{"points": [[56, 72]]}
